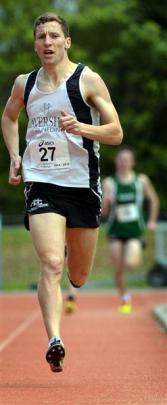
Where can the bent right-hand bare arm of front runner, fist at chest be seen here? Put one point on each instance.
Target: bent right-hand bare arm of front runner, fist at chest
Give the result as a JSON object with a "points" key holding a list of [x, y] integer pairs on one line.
{"points": [[97, 95]]}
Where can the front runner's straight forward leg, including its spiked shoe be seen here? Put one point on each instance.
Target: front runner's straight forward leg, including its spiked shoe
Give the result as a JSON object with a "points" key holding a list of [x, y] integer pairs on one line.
{"points": [[48, 234]]}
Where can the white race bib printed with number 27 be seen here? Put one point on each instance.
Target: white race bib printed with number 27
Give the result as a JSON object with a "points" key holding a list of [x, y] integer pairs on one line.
{"points": [[49, 154]]}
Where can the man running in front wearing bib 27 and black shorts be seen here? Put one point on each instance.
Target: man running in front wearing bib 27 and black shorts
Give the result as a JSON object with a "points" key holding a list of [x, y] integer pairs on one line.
{"points": [[64, 102]]}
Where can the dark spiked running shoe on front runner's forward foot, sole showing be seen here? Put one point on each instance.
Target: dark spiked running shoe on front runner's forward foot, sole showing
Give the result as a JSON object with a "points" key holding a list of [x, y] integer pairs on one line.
{"points": [[55, 355]]}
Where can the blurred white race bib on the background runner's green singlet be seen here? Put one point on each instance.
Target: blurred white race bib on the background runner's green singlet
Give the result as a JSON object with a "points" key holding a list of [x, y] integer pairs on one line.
{"points": [[127, 212]]}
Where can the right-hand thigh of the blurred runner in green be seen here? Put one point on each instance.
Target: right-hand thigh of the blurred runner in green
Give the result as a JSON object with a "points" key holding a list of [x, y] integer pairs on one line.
{"points": [[133, 253]]}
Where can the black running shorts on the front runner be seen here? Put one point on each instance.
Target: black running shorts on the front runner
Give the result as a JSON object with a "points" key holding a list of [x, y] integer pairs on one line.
{"points": [[80, 206]]}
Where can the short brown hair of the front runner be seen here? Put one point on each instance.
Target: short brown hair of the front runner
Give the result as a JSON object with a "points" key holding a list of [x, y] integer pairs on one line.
{"points": [[47, 17]]}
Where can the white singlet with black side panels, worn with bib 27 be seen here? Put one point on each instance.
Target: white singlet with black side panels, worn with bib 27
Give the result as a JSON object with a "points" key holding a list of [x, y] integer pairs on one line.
{"points": [[52, 155]]}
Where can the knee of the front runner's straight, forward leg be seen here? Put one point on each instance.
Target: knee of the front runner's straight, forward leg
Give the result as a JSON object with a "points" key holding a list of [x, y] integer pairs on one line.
{"points": [[52, 263]]}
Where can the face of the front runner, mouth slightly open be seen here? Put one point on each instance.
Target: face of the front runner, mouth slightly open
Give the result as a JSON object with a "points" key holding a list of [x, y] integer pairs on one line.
{"points": [[50, 43]]}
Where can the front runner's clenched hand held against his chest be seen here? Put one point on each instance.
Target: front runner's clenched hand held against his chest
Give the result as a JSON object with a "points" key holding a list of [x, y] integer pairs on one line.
{"points": [[70, 124]]}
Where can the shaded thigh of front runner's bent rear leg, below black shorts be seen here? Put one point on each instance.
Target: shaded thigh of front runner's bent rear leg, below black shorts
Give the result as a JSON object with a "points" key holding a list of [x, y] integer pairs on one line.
{"points": [[81, 247]]}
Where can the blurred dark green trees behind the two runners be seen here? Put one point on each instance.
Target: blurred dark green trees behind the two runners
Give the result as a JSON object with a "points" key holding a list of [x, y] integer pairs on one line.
{"points": [[125, 41]]}
